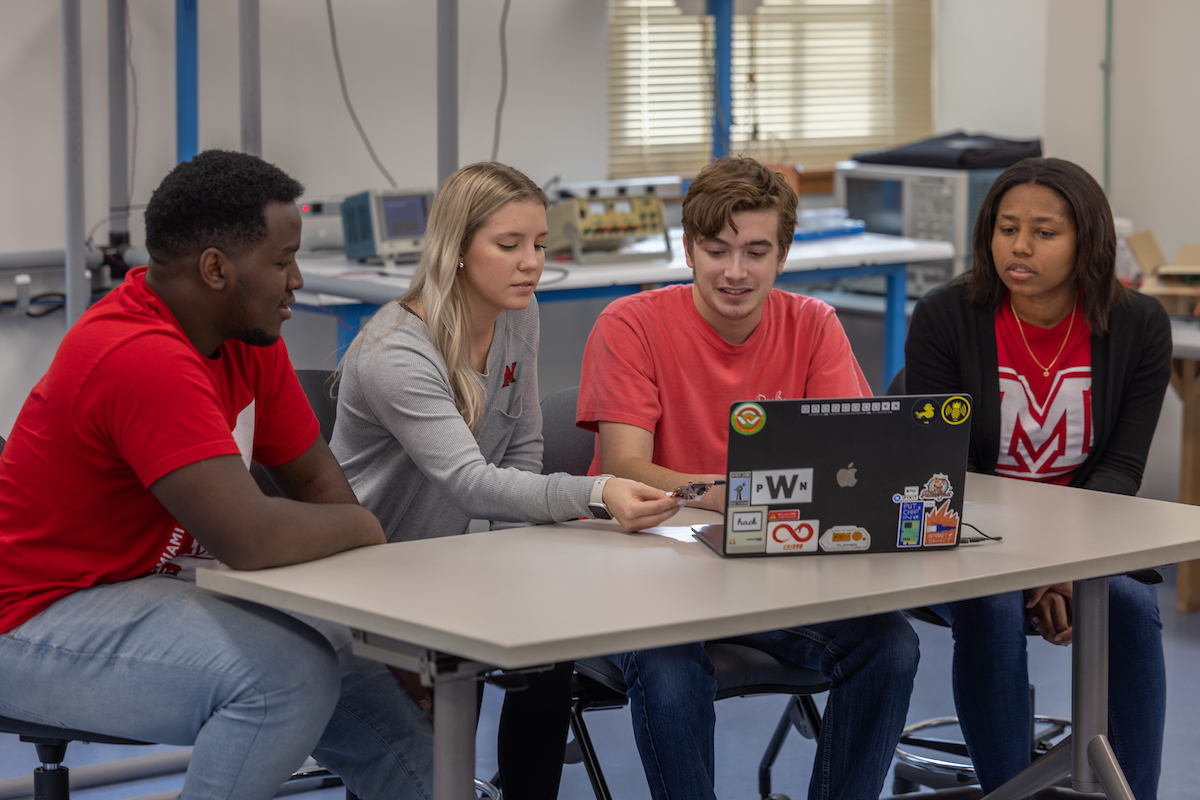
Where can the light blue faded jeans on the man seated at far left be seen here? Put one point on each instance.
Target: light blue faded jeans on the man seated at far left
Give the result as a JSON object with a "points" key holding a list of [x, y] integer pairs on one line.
{"points": [[255, 690]]}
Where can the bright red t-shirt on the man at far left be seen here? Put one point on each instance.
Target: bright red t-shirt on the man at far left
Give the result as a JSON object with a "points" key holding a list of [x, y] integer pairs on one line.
{"points": [[127, 401]]}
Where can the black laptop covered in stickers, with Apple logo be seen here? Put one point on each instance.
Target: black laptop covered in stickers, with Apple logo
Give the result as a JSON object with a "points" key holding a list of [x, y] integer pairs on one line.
{"points": [[844, 476]]}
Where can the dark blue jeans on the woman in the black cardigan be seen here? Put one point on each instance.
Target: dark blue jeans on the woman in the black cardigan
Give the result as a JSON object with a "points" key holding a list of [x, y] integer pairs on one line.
{"points": [[992, 683]]}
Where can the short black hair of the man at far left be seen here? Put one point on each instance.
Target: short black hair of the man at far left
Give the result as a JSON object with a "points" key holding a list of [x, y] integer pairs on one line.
{"points": [[217, 200]]}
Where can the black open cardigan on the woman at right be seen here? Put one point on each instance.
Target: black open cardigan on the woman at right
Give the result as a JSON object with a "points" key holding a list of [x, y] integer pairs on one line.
{"points": [[952, 348]]}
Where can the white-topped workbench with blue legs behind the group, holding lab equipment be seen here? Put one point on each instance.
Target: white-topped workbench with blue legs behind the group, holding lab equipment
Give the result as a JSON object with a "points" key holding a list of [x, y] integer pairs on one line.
{"points": [[808, 262]]}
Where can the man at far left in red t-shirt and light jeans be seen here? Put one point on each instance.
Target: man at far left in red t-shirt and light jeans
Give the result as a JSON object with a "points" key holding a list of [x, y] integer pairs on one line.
{"points": [[128, 470]]}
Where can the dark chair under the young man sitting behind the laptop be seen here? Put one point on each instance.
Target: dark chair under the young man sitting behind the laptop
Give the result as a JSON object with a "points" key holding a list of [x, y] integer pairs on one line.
{"points": [[741, 671]]}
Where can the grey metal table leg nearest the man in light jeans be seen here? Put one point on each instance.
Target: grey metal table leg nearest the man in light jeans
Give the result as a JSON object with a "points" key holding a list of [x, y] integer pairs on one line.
{"points": [[454, 739]]}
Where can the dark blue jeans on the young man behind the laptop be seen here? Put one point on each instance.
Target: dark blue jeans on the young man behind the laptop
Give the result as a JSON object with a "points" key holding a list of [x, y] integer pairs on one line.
{"points": [[871, 664]]}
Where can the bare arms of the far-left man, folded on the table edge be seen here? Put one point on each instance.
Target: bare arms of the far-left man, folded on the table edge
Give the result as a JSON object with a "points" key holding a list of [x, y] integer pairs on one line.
{"points": [[219, 503]]}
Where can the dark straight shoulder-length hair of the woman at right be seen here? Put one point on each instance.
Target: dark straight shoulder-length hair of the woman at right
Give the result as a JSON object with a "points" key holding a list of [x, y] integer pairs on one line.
{"points": [[1096, 239]]}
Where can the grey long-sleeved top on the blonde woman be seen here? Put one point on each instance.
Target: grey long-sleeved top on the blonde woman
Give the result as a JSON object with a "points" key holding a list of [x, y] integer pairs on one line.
{"points": [[411, 458]]}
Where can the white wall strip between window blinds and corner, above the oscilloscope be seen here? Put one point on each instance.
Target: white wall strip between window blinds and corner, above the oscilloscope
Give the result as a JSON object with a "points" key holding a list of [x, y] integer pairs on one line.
{"points": [[991, 68]]}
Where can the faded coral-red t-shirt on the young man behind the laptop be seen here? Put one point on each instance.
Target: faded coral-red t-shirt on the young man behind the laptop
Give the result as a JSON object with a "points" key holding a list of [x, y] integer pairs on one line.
{"points": [[653, 362]]}
